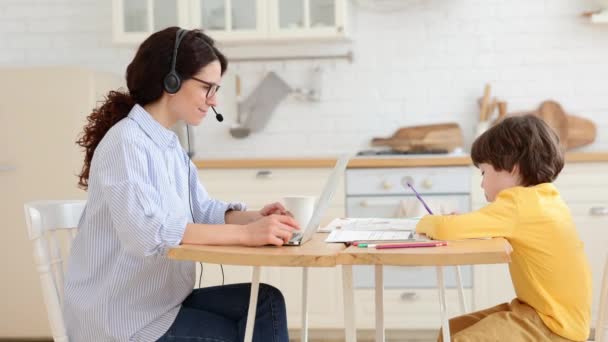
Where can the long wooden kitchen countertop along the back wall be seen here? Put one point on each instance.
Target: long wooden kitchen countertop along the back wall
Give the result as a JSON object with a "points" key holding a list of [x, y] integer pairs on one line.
{"points": [[370, 162]]}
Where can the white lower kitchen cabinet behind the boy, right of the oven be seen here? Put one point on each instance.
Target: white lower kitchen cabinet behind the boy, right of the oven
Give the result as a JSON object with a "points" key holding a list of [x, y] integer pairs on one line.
{"points": [[584, 188]]}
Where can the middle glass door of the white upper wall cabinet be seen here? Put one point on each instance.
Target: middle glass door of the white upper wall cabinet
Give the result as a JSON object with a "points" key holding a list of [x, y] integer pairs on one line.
{"points": [[230, 20]]}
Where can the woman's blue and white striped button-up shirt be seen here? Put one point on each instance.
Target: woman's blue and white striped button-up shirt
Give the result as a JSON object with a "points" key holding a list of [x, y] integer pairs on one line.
{"points": [[119, 285]]}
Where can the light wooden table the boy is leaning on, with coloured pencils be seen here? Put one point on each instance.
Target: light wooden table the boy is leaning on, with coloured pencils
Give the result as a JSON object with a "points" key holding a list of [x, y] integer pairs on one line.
{"points": [[464, 252]]}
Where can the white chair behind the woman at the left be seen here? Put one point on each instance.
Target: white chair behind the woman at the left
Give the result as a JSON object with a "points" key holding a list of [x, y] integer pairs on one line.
{"points": [[47, 223]]}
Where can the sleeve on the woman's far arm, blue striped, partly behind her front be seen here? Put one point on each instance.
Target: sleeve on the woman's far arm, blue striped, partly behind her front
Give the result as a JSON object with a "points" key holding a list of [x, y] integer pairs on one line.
{"points": [[204, 208]]}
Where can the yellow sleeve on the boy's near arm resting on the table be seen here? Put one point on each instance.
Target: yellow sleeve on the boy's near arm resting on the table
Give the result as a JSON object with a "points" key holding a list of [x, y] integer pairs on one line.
{"points": [[497, 219]]}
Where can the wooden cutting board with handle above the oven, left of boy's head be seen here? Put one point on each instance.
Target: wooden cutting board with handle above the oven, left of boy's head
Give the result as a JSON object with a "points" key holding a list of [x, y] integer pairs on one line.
{"points": [[446, 136]]}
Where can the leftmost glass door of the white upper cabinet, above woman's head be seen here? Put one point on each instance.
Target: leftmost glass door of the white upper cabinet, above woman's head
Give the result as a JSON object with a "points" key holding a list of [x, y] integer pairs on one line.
{"points": [[135, 20]]}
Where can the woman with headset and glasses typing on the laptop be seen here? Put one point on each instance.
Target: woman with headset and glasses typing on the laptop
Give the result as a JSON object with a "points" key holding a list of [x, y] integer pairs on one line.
{"points": [[144, 197]]}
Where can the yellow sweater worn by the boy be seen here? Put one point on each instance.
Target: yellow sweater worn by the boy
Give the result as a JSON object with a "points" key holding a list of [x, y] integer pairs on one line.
{"points": [[549, 269]]}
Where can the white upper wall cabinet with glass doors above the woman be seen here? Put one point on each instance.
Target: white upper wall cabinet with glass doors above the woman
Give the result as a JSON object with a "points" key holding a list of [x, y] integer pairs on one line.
{"points": [[232, 20]]}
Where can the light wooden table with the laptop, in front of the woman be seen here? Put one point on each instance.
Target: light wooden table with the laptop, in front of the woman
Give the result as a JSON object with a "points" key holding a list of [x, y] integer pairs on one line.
{"points": [[314, 253]]}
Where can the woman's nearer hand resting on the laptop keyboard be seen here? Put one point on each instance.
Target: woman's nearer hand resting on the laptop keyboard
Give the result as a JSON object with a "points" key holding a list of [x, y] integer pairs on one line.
{"points": [[270, 230]]}
